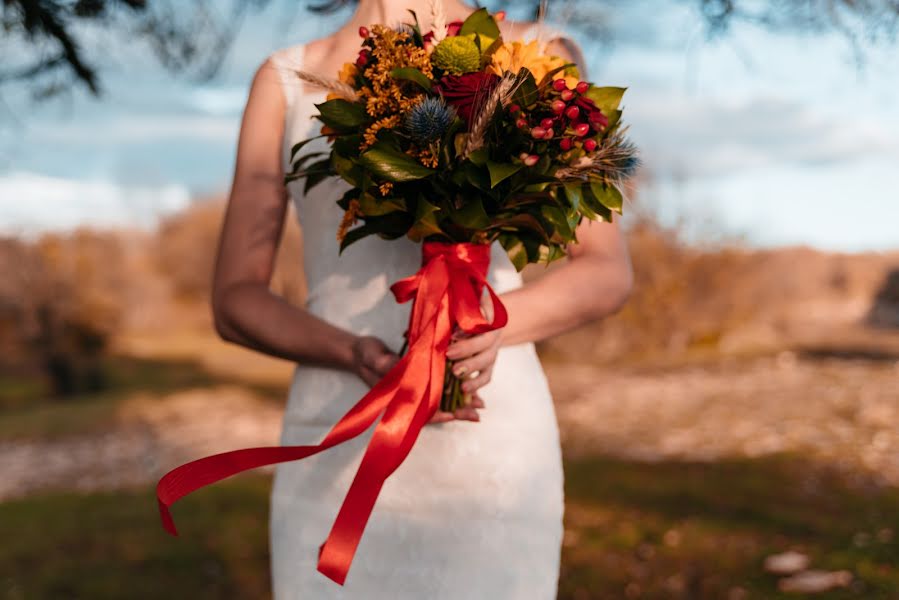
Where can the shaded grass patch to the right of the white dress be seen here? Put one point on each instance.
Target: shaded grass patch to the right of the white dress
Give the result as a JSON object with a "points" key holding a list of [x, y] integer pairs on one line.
{"points": [[691, 530]]}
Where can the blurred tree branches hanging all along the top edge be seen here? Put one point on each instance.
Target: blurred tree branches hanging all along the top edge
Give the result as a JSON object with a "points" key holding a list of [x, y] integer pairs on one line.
{"points": [[48, 35]]}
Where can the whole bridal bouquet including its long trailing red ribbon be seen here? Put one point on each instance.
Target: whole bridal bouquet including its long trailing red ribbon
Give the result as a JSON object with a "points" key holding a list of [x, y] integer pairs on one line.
{"points": [[455, 138]]}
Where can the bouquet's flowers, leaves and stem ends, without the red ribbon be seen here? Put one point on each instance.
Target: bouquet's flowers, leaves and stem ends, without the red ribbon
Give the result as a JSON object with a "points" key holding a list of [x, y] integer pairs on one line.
{"points": [[458, 136]]}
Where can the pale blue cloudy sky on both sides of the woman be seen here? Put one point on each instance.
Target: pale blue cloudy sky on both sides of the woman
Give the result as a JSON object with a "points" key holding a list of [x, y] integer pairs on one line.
{"points": [[777, 139]]}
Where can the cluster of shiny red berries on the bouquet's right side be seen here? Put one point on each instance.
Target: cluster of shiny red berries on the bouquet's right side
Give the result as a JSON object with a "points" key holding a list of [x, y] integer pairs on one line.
{"points": [[574, 116]]}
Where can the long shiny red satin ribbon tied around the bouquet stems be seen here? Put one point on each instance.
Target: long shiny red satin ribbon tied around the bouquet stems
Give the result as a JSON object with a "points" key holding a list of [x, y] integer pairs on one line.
{"points": [[446, 292]]}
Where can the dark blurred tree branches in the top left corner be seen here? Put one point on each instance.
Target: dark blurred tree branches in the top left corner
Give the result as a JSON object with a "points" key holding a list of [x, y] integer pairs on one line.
{"points": [[44, 39]]}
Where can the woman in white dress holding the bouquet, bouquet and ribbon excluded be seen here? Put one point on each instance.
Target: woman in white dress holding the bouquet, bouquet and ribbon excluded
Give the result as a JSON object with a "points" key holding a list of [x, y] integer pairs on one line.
{"points": [[475, 511]]}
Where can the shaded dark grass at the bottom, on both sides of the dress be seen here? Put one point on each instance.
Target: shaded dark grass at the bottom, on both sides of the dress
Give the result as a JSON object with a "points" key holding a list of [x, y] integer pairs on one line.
{"points": [[671, 530]]}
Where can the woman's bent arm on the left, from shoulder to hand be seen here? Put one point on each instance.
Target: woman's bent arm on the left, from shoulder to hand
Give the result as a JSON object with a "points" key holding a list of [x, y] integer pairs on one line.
{"points": [[245, 311]]}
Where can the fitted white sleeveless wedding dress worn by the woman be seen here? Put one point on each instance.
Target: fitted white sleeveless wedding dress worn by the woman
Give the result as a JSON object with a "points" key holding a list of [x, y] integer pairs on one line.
{"points": [[475, 511]]}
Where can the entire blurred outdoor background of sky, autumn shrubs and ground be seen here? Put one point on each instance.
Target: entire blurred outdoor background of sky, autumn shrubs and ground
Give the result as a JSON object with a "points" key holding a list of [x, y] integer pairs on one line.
{"points": [[730, 434]]}
